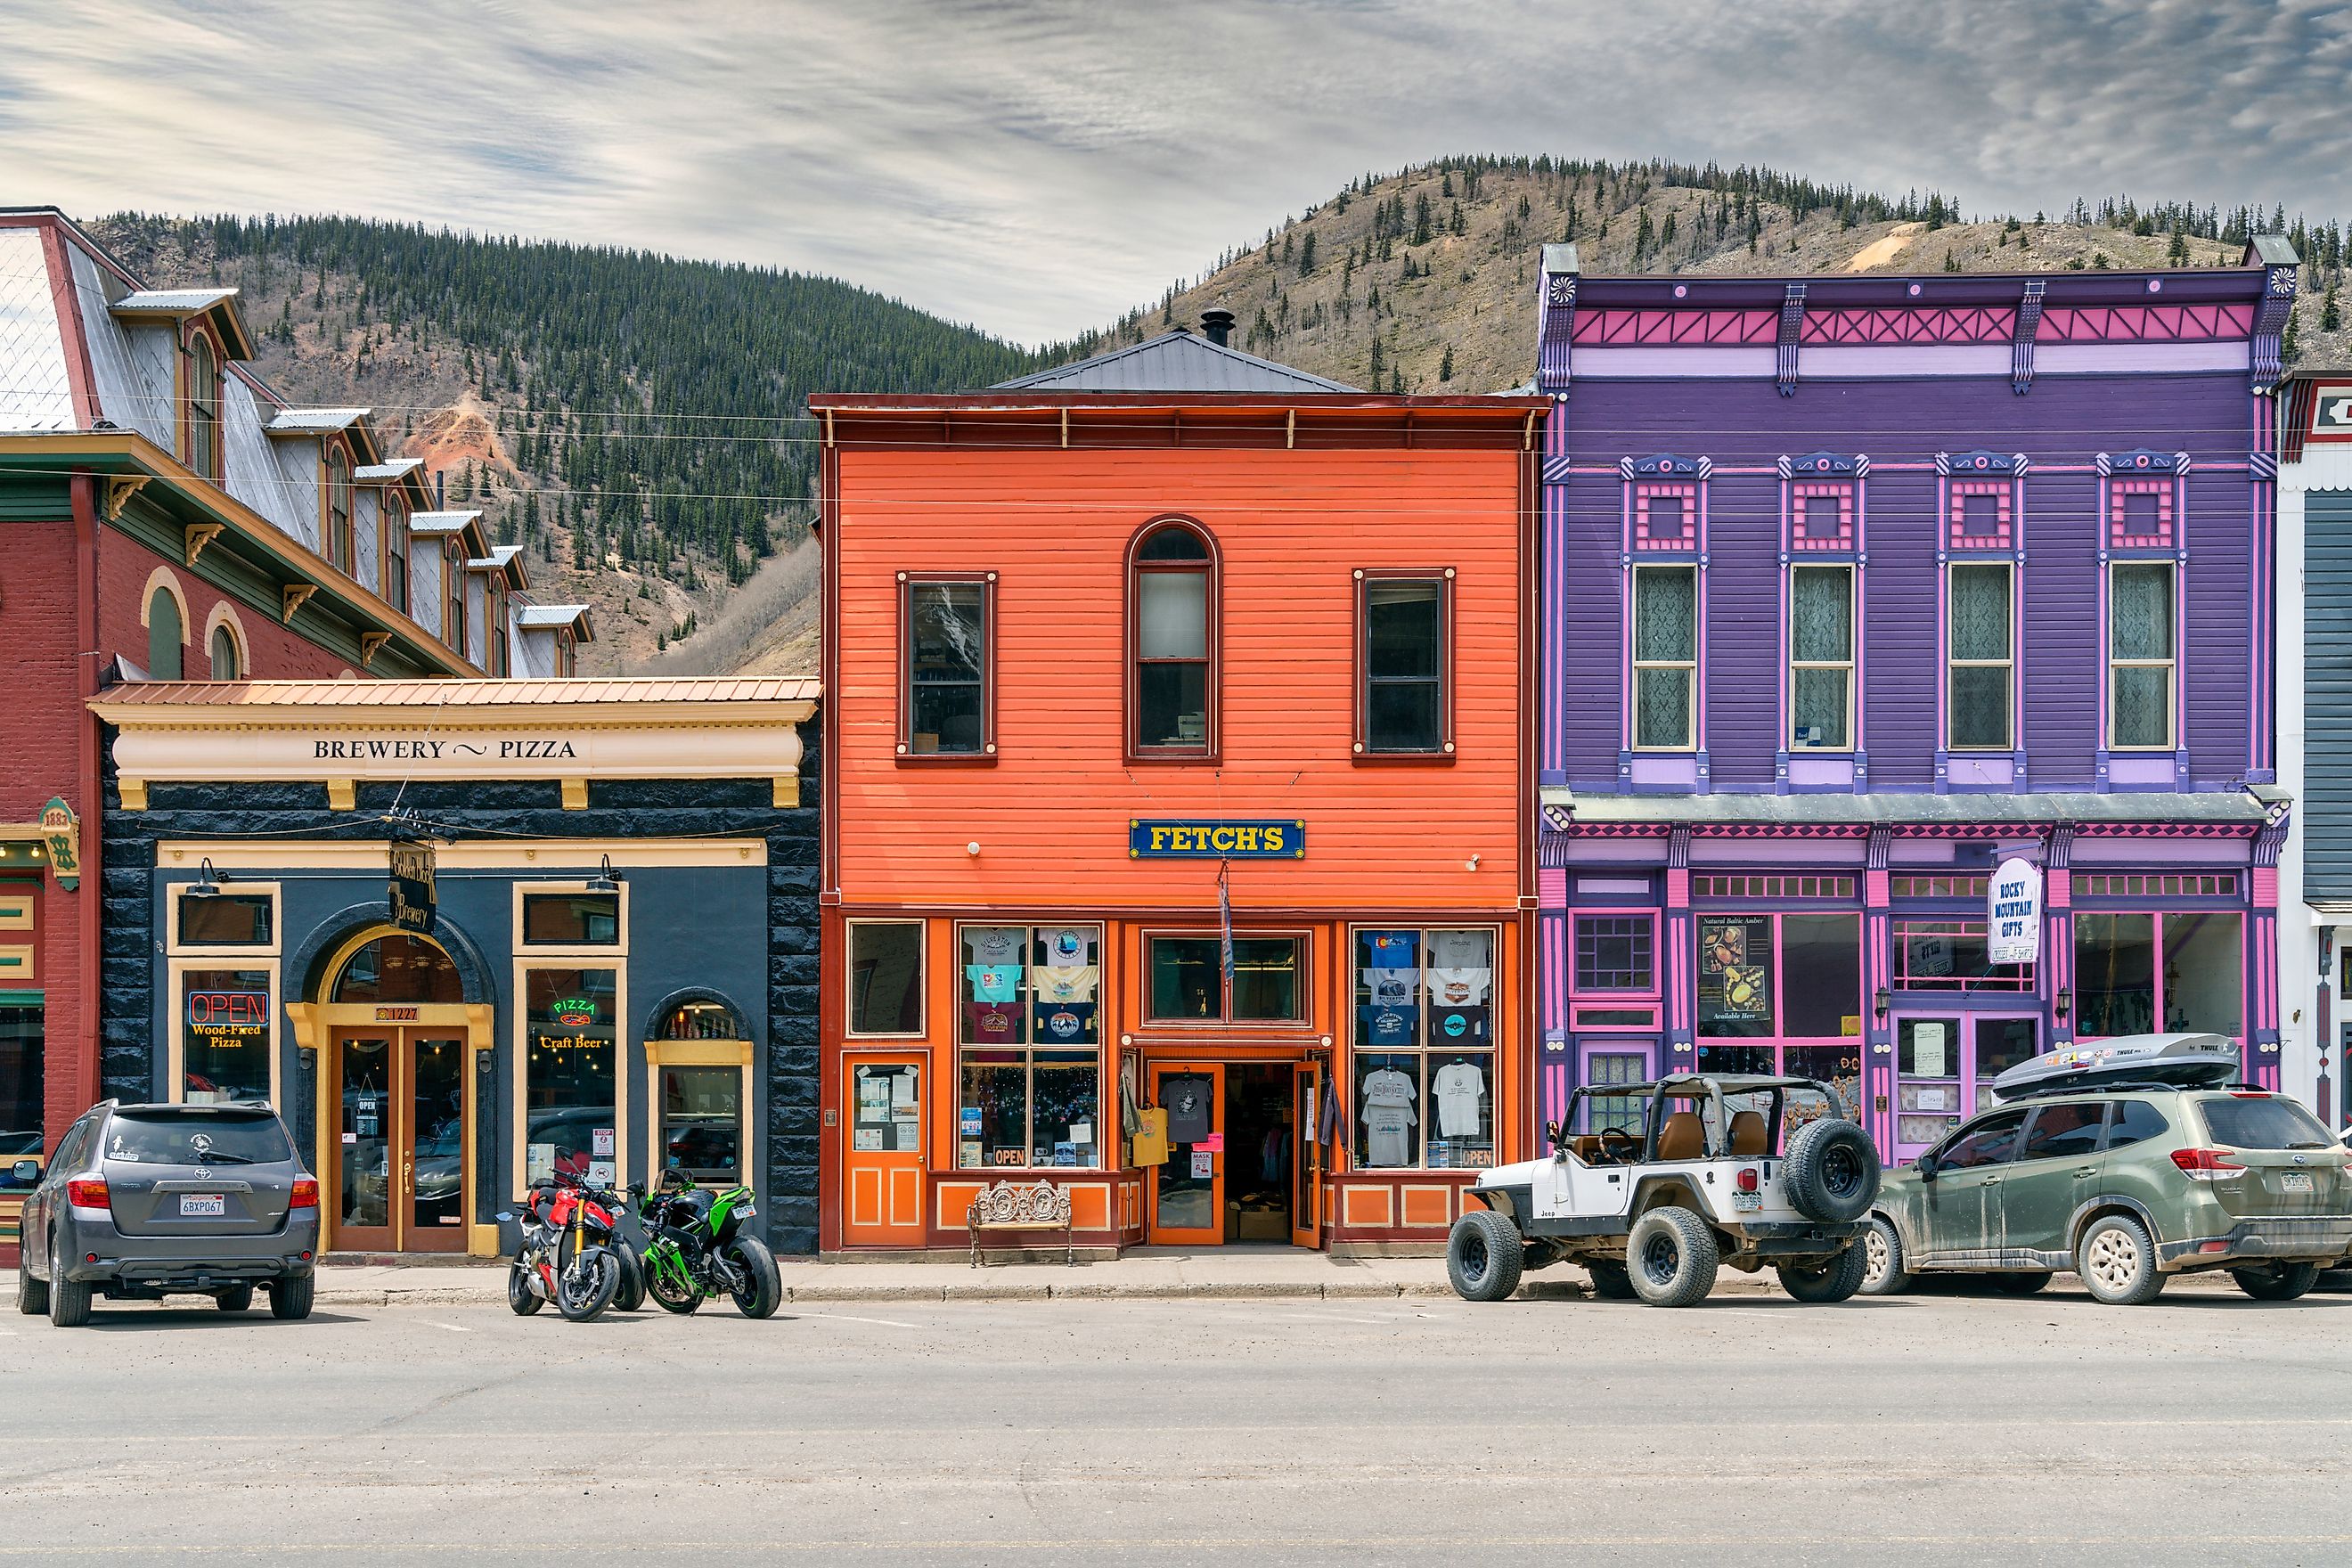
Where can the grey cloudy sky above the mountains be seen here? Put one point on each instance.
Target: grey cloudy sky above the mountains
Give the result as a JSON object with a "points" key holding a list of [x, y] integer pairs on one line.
{"points": [[1038, 166]]}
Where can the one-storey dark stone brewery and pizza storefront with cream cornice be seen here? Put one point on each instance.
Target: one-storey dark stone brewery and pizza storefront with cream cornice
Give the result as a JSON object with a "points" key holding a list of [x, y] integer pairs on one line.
{"points": [[622, 972]]}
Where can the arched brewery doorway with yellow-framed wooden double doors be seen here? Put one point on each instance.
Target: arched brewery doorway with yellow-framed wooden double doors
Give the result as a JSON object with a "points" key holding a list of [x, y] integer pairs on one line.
{"points": [[396, 1097]]}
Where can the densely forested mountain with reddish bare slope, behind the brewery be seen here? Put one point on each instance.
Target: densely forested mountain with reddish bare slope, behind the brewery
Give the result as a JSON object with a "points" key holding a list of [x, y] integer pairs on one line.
{"points": [[636, 422]]}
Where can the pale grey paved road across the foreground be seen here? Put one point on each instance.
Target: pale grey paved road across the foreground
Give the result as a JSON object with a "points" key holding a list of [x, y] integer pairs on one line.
{"points": [[1753, 1430]]}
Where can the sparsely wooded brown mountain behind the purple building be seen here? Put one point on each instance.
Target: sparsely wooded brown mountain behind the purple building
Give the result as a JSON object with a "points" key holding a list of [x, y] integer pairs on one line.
{"points": [[1426, 281]]}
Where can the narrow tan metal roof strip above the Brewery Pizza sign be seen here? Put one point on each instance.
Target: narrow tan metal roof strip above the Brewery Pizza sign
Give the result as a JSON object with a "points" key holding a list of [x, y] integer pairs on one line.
{"points": [[457, 692]]}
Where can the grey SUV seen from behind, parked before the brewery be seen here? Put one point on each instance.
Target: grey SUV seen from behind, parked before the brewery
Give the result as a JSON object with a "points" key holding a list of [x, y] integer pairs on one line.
{"points": [[168, 1200]]}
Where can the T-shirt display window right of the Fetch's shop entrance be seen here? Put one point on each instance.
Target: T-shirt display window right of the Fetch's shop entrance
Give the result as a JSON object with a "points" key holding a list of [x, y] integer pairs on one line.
{"points": [[1424, 1047]]}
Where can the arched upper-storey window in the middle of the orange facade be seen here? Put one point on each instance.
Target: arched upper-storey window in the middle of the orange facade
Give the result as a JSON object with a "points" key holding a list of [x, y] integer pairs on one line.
{"points": [[1172, 643]]}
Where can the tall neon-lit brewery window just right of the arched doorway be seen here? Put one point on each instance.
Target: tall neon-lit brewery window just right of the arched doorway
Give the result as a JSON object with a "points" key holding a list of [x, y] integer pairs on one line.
{"points": [[573, 1113]]}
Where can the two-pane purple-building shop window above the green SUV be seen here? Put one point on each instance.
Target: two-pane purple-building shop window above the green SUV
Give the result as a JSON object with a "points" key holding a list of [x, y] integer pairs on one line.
{"points": [[2139, 974]]}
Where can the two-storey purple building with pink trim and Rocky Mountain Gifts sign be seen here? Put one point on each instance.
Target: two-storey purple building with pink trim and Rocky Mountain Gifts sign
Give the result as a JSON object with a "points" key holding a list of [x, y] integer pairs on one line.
{"points": [[1857, 587]]}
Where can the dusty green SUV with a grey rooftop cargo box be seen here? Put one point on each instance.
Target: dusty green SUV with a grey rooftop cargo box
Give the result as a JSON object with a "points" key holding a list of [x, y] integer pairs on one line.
{"points": [[2125, 1162]]}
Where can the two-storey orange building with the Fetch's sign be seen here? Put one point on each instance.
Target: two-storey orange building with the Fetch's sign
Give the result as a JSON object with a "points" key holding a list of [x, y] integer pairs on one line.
{"points": [[1116, 650]]}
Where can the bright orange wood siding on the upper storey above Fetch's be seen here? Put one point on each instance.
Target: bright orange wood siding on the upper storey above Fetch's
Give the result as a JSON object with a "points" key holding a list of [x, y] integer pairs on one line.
{"points": [[1053, 810]]}
